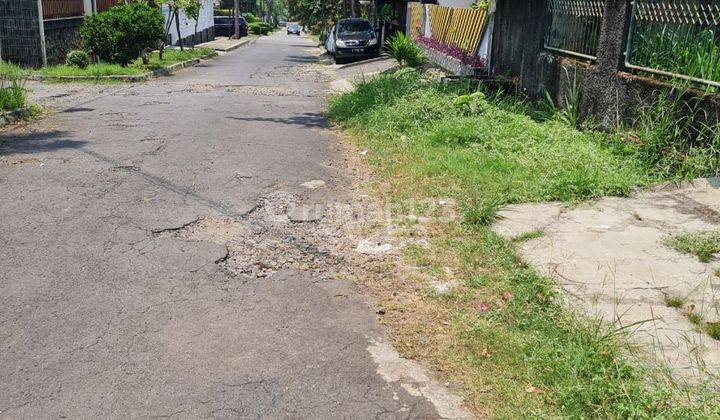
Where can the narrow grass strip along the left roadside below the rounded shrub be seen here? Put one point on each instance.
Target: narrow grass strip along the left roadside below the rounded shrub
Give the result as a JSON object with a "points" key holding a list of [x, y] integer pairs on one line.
{"points": [[170, 56]]}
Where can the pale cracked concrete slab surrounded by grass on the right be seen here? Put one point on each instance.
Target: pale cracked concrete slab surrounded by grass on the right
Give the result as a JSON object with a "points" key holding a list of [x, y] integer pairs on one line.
{"points": [[609, 256]]}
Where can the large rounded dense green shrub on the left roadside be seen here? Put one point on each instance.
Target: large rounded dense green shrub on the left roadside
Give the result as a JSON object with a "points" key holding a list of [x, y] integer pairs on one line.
{"points": [[120, 34]]}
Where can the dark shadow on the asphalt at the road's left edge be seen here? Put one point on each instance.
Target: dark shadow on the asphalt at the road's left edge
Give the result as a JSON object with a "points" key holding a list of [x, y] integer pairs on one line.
{"points": [[37, 142]]}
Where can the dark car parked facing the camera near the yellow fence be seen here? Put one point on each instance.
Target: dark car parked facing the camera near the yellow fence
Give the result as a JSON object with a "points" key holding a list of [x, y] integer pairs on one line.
{"points": [[353, 38]]}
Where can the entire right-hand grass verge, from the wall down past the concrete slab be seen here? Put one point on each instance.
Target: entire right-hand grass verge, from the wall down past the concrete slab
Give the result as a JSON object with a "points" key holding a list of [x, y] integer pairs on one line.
{"points": [[515, 344]]}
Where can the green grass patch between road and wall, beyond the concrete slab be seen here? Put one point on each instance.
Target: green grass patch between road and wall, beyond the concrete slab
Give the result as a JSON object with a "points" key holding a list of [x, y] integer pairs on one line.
{"points": [[485, 159]]}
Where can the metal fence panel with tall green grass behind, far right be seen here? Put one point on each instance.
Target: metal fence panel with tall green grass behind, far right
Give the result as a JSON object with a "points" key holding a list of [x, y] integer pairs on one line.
{"points": [[679, 39]]}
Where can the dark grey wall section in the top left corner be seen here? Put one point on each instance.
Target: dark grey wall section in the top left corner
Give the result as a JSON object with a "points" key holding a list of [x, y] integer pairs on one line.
{"points": [[20, 32]]}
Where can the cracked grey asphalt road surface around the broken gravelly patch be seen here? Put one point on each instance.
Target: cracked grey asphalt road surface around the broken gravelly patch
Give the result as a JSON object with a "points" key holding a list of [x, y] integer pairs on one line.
{"points": [[103, 315]]}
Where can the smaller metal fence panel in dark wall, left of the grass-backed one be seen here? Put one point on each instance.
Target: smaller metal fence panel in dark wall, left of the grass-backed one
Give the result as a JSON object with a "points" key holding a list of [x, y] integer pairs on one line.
{"points": [[573, 27]]}
